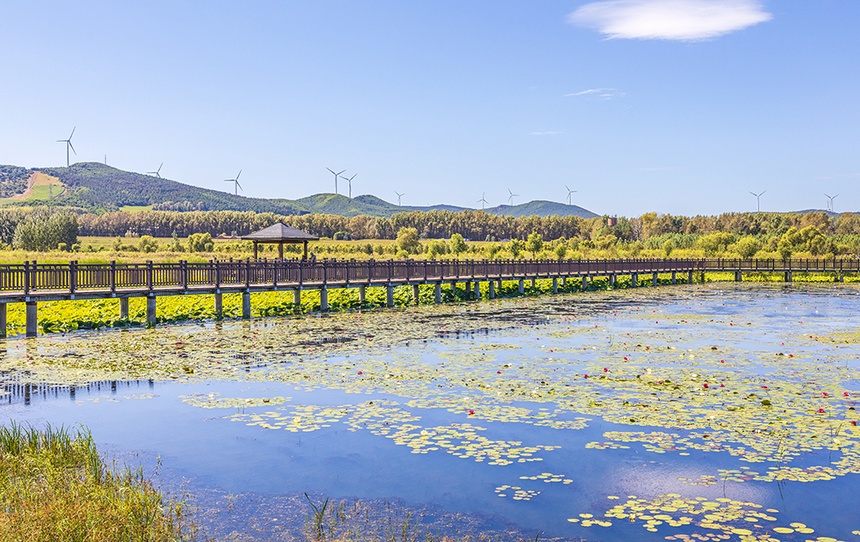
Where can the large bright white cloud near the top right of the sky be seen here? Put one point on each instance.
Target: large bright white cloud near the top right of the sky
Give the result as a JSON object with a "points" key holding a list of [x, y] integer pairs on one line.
{"points": [[682, 20]]}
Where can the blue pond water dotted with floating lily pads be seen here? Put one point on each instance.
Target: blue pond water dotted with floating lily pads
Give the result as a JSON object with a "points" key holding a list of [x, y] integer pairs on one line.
{"points": [[673, 405]]}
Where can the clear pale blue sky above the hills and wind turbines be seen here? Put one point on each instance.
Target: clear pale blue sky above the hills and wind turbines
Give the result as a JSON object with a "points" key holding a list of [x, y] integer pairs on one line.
{"points": [[673, 106]]}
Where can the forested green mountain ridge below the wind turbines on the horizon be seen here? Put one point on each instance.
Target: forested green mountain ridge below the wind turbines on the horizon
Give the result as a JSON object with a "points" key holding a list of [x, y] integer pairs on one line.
{"points": [[98, 187]]}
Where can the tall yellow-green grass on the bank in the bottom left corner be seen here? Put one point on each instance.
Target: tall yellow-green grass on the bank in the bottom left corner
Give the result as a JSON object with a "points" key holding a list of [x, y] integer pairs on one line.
{"points": [[54, 486]]}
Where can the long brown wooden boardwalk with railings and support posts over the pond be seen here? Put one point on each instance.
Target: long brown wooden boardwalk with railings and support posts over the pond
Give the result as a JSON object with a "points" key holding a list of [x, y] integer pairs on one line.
{"points": [[32, 282]]}
